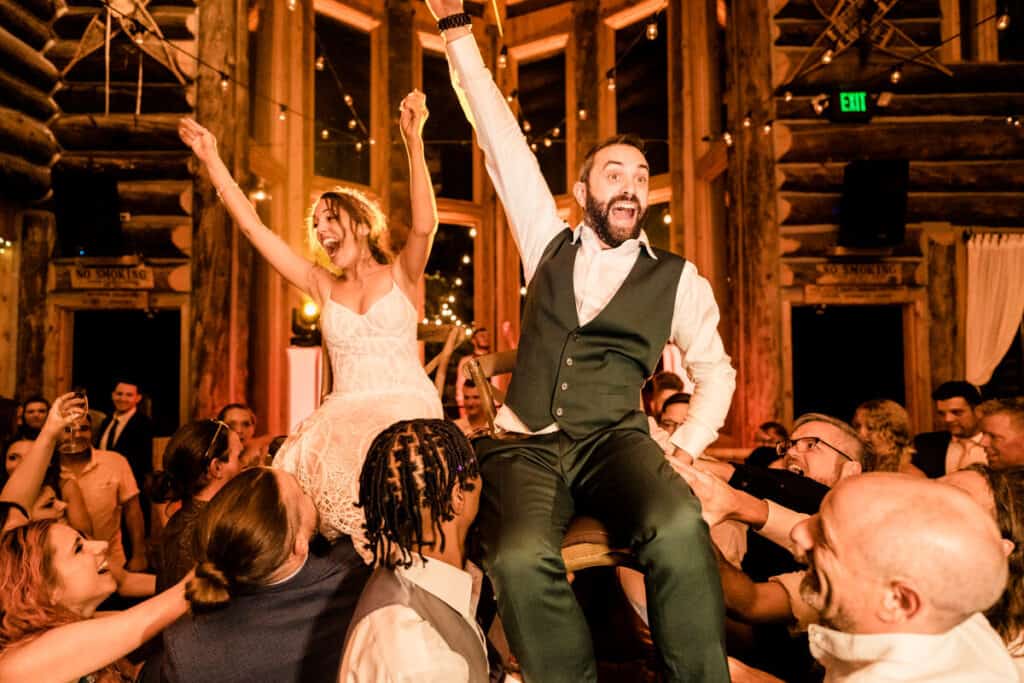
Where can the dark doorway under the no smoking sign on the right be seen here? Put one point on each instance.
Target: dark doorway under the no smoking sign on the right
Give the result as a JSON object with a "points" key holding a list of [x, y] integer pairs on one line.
{"points": [[844, 356]]}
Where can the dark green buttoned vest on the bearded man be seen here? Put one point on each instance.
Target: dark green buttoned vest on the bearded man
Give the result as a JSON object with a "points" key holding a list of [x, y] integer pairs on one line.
{"points": [[587, 378]]}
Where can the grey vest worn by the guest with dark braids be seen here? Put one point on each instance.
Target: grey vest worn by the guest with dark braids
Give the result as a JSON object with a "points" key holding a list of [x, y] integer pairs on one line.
{"points": [[386, 588]]}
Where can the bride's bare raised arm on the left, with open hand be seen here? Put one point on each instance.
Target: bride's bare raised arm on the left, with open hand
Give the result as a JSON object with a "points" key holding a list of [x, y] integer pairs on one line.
{"points": [[291, 266]]}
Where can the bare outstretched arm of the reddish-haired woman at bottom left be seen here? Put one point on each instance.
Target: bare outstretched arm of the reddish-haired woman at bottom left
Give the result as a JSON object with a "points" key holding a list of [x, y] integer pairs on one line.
{"points": [[74, 651]]}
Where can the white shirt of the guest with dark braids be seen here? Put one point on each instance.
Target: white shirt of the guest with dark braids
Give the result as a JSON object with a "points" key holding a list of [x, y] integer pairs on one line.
{"points": [[396, 646]]}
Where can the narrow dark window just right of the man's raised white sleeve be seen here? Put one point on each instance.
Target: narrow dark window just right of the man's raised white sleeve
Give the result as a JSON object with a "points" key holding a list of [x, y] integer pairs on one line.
{"points": [[542, 113]]}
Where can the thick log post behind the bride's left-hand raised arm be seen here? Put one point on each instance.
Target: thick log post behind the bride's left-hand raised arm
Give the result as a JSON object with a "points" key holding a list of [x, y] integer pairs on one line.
{"points": [[217, 351]]}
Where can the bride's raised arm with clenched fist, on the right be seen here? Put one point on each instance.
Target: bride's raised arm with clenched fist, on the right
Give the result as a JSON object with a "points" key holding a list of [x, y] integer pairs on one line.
{"points": [[413, 260]]}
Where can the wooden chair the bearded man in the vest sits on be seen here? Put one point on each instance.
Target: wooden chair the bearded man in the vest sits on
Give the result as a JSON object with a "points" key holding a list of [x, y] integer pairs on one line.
{"points": [[586, 542]]}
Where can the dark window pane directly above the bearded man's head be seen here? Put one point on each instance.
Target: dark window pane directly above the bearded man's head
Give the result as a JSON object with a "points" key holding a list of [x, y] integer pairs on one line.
{"points": [[643, 87]]}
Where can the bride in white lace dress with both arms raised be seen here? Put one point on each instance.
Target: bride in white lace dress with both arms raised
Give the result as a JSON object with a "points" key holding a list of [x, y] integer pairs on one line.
{"points": [[369, 321]]}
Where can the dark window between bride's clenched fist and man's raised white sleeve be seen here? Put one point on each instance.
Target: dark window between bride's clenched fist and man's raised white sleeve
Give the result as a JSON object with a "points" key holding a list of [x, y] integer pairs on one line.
{"points": [[448, 136]]}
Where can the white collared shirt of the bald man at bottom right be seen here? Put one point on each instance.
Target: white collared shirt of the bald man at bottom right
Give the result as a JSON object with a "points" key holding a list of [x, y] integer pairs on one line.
{"points": [[971, 653]]}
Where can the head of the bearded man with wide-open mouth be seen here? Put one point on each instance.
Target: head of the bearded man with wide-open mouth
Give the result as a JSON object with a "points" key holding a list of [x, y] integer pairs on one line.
{"points": [[615, 196]]}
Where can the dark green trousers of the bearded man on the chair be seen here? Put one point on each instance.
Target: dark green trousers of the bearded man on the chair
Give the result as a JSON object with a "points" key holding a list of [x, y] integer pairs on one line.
{"points": [[534, 486]]}
